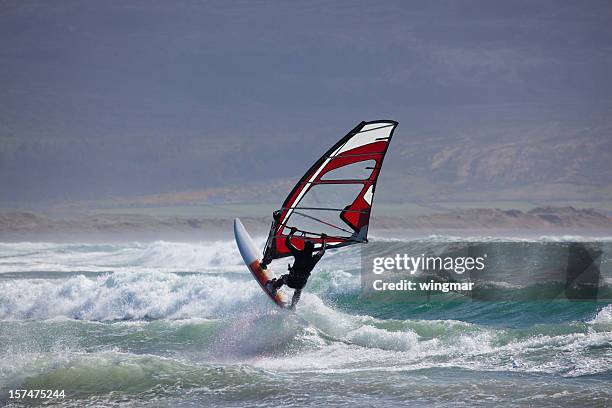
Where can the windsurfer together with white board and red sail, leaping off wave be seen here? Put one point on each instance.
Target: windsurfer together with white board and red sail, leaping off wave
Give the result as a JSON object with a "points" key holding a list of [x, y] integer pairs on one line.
{"points": [[335, 194]]}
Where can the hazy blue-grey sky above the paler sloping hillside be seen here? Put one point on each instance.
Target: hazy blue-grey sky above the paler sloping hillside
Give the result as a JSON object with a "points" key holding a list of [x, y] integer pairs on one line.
{"points": [[133, 97]]}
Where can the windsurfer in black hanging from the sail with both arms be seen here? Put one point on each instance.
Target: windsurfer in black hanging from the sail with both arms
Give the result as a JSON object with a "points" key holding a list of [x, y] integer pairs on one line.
{"points": [[304, 262]]}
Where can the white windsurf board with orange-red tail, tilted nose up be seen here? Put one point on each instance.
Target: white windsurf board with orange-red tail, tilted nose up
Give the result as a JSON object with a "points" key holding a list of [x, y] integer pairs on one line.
{"points": [[249, 253]]}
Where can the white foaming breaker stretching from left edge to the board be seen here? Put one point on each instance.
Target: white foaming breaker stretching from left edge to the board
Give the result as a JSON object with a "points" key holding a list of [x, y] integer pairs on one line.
{"points": [[126, 296]]}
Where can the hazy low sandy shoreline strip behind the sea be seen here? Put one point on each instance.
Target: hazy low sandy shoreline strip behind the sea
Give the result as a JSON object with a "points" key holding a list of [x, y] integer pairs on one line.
{"points": [[30, 226]]}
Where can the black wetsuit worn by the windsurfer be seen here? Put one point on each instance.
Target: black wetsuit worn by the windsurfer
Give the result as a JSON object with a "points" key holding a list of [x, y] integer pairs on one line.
{"points": [[300, 271]]}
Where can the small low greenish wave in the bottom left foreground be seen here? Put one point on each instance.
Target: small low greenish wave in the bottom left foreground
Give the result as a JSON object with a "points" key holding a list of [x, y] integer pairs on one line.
{"points": [[82, 375]]}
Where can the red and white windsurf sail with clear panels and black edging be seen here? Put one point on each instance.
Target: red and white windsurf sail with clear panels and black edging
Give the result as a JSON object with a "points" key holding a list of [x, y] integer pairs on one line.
{"points": [[335, 195]]}
